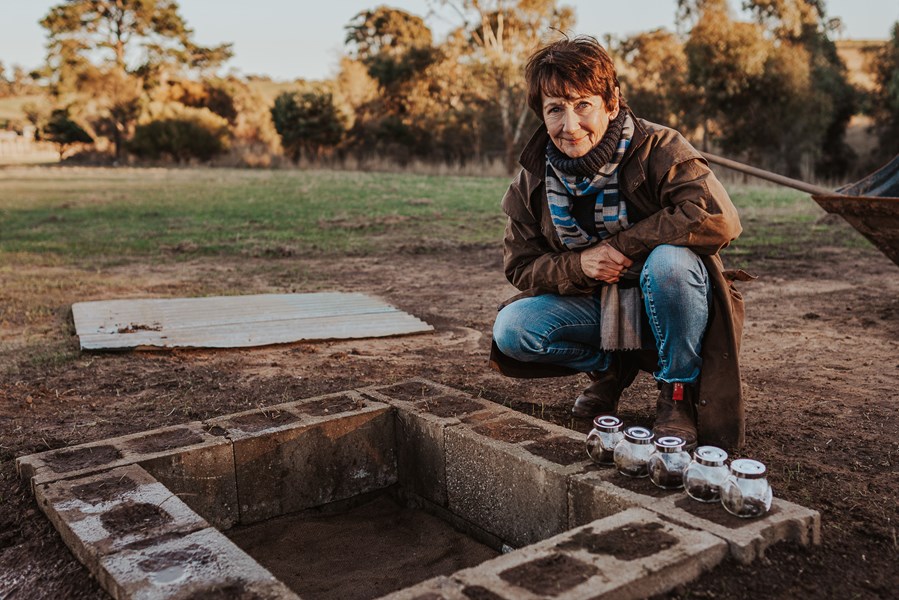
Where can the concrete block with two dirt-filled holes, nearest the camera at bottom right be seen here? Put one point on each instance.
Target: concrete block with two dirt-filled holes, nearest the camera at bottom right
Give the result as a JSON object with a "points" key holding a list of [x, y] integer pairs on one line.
{"points": [[633, 554]]}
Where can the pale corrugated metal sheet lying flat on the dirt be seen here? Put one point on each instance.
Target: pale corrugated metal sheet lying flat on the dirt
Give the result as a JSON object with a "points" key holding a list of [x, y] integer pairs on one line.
{"points": [[237, 321]]}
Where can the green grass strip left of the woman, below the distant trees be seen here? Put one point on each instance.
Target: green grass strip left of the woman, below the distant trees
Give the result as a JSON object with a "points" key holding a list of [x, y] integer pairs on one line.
{"points": [[73, 215]]}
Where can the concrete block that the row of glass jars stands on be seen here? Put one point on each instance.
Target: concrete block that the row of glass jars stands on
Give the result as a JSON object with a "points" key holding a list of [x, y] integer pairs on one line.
{"points": [[746, 538]]}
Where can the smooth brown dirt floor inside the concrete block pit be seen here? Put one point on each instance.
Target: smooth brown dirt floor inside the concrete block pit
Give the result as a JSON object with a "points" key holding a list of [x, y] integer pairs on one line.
{"points": [[363, 552]]}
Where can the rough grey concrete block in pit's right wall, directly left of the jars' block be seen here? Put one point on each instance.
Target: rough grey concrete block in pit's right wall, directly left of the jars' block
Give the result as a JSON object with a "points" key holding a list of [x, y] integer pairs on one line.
{"points": [[515, 487]]}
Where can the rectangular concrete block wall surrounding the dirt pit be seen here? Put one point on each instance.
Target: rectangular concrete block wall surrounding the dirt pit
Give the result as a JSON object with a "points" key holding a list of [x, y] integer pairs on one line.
{"points": [[522, 481]]}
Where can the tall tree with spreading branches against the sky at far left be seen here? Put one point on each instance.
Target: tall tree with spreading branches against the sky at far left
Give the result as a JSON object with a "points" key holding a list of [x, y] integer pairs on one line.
{"points": [[127, 42]]}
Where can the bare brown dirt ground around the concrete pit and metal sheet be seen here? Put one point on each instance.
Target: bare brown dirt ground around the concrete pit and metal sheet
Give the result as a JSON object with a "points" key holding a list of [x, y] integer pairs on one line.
{"points": [[820, 362]]}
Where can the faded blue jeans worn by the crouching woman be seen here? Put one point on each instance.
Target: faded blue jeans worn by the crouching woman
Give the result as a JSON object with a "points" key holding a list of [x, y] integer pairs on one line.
{"points": [[564, 330]]}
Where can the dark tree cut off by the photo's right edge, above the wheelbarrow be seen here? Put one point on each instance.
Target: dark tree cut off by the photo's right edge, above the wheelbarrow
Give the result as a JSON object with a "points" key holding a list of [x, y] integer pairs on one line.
{"points": [[885, 98]]}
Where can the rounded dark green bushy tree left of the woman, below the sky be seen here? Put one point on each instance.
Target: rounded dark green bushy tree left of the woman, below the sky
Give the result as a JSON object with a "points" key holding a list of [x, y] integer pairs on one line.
{"points": [[308, 123]]}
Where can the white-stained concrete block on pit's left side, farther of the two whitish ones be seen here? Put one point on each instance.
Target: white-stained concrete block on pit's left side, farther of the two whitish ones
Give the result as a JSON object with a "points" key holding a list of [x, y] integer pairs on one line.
{"points": [[107, 512]]}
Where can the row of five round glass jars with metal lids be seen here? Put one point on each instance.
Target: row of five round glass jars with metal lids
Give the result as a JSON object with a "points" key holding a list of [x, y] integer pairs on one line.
{"points": [[742, 489]]}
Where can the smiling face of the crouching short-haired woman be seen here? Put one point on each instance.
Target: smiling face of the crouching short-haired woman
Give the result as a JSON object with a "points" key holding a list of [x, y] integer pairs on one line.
{"points": [[576, 125]]}
